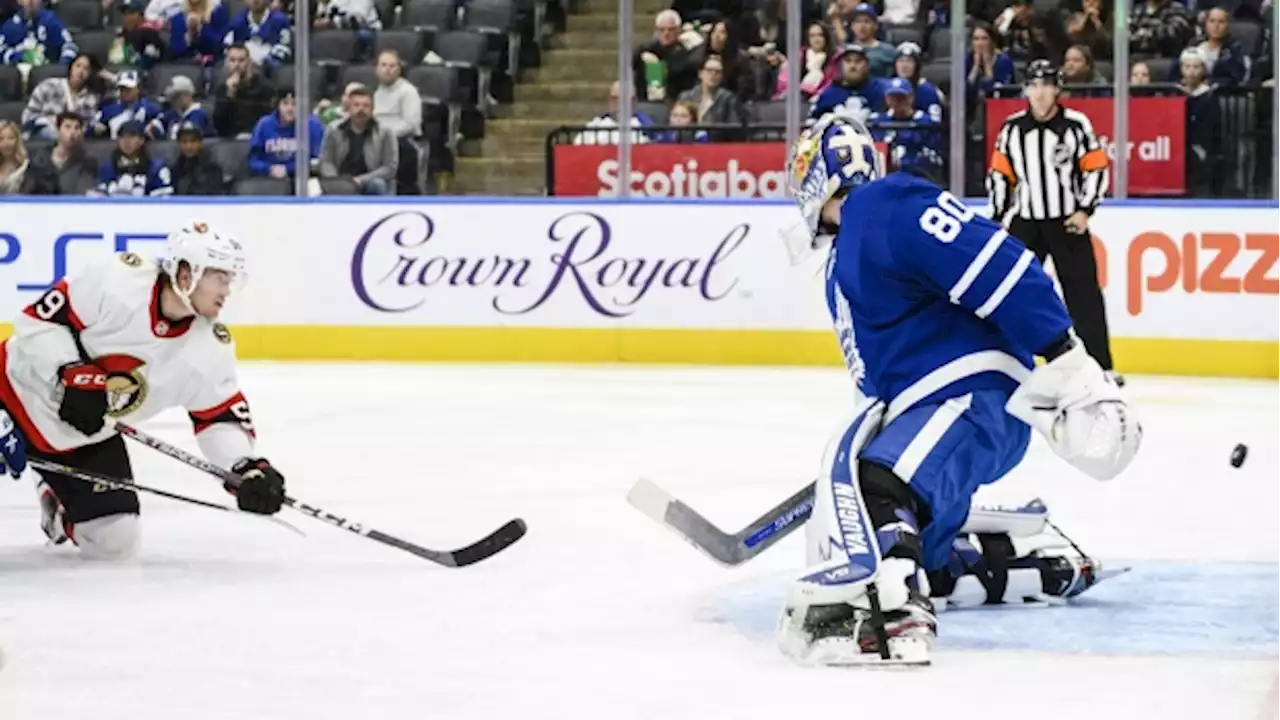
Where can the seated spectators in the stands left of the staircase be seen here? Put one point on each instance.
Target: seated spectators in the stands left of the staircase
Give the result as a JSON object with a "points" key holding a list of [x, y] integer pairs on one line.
{"points": [[150, 98]]}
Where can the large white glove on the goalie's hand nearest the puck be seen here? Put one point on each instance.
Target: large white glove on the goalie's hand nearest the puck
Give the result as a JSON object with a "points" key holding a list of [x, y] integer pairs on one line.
{"points": [[1081, 412]]}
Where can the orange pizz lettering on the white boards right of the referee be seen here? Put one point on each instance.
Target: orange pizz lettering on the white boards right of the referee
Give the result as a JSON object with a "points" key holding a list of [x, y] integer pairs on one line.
{"points": [[1185, 262]]}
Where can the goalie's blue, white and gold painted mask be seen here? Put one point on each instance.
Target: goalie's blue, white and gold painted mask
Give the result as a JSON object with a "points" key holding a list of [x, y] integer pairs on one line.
{"points": [[834, 156]]}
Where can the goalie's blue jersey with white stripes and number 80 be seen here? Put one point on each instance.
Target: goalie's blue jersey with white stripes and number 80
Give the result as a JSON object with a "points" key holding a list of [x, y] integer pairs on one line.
{"points": [[932, 302]]}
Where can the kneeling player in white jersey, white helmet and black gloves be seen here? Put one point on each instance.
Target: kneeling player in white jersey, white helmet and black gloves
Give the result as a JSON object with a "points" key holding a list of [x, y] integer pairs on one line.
{"points": [[127, 340]]}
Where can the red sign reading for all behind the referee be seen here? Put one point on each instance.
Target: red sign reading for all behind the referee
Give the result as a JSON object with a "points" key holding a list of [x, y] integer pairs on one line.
{"points": [[1158, 138]]}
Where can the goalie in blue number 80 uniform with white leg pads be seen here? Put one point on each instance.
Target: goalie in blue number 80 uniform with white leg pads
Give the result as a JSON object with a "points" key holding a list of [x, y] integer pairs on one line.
{"points": [[940, 316]]}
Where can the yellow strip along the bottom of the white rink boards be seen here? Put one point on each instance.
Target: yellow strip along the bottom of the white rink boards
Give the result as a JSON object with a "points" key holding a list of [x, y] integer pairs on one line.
{"points": [[1223, 358]]}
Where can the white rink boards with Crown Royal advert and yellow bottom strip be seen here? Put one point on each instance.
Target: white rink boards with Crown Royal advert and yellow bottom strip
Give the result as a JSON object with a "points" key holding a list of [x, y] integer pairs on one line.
{"points": [[1191, 289]]}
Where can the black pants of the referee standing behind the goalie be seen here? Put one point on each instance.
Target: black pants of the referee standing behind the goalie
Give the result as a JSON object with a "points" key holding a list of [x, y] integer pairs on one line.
{"points": [[1078, 272]]}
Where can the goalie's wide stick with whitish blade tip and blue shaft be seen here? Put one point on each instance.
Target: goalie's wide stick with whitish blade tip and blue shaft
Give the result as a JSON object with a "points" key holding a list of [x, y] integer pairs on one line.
{"points": [[724, 548]]}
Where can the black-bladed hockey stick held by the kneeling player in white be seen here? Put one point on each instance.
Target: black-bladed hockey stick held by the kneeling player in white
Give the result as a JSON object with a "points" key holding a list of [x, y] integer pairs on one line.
{"points": [[488, 546]]}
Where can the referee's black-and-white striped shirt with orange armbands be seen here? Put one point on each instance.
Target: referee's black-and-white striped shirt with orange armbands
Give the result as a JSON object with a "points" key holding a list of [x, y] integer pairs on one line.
{"points": [[1046, 171]]}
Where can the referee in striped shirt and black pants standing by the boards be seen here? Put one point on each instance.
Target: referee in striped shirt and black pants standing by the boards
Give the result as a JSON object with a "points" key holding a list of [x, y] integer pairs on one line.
{"points": [[1048, 176]]}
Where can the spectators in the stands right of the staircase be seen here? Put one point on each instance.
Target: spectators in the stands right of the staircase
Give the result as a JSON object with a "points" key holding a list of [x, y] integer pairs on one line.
{"points": [[889, 62]]}
